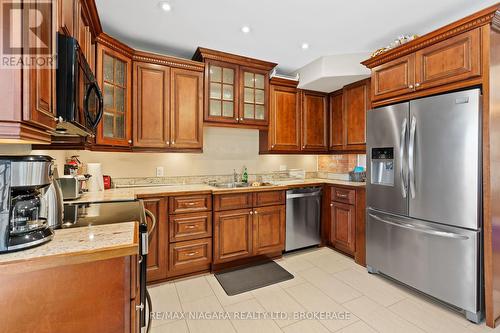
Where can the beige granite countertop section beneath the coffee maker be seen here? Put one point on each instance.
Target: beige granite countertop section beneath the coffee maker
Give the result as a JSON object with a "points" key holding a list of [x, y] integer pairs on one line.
{"points": [[75, 245]]}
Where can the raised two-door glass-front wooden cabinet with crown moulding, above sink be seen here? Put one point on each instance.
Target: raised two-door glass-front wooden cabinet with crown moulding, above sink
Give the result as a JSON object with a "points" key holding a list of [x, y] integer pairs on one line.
{"points": [[236, 89]]}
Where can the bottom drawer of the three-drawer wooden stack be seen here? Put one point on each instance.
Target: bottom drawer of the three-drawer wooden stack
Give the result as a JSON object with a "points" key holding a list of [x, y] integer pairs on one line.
{"points": [[190, 256]]}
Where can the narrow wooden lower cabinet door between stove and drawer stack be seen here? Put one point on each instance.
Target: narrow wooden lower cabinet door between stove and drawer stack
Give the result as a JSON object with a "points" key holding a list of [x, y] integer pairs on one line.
{"points": [[158, 240]]}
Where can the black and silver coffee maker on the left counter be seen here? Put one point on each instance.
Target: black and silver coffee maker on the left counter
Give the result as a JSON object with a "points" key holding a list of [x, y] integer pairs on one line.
{"points": [[23, 206]]}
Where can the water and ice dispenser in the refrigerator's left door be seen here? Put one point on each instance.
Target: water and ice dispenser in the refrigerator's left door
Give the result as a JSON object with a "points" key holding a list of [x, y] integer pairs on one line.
{"points": [[382, 166]]}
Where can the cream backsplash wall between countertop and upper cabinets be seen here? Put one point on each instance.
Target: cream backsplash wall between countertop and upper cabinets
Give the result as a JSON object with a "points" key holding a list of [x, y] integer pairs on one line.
{"points": [[225, 149]]}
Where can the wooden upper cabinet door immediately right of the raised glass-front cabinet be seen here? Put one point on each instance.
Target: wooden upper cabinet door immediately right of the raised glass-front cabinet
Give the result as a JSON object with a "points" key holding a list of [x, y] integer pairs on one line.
{"points": [[284, 132]]}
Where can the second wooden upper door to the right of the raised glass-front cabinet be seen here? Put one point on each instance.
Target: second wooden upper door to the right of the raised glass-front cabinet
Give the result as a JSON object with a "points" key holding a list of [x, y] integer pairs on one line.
{"points": [[314, 121]]}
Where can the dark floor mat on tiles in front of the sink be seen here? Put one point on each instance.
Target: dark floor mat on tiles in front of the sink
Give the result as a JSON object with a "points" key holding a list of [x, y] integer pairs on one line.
{"points": [[239, 280]]}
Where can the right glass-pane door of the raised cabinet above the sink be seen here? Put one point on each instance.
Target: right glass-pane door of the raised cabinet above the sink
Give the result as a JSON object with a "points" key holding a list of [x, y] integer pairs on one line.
{"points": [[253, 100]]}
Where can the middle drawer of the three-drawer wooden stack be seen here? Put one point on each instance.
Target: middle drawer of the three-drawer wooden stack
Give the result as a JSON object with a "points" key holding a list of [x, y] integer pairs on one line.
{"points": [[190, 226]]}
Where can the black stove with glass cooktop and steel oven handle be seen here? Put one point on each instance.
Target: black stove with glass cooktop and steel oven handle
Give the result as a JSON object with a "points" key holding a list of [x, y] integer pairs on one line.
{"points": [[86, 215]]}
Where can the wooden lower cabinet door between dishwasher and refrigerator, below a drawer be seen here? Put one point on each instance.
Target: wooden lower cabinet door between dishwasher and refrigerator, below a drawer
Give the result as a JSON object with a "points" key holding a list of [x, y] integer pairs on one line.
{"points": [[343, 227]]}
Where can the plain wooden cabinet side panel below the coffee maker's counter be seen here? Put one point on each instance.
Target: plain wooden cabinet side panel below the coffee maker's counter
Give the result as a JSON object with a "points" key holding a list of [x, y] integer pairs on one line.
{"points": [[88, 297]]}
